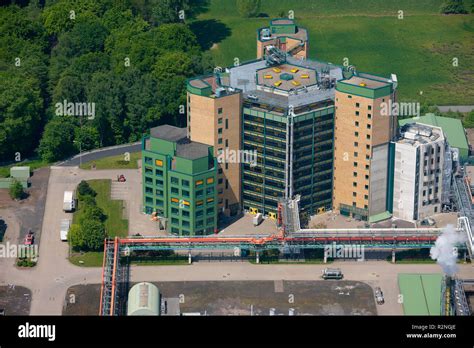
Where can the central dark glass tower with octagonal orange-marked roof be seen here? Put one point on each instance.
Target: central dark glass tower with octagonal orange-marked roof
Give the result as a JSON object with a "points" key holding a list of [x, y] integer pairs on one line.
{"points": [[288, 115]]}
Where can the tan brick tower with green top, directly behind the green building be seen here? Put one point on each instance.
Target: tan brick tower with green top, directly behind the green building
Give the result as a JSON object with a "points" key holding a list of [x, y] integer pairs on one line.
{"points": [[214, 118]]}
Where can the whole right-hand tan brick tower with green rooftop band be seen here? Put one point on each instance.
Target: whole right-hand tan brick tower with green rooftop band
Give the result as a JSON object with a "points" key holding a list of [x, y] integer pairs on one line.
{"points": [[362, 164]]}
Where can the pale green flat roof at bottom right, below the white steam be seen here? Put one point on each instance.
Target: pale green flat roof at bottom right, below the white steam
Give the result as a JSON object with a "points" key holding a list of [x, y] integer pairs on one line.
{"points": [[421, 293]]}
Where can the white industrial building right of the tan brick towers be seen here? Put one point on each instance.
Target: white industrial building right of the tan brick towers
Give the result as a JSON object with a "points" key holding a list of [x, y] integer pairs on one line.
{"points": [[422, 172]]}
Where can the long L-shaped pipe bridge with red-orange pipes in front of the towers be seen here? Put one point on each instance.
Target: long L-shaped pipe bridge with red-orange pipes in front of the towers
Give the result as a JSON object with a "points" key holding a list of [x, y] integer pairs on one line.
{"points": [[114, 276]]}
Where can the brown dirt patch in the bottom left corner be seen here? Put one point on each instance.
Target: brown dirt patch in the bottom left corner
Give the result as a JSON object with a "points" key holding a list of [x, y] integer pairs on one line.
{"points": [[15, 300]]}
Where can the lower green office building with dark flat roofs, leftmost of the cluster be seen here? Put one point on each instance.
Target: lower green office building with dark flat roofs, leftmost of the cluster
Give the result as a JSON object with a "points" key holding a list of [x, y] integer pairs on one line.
{"points": [[179, 181]]}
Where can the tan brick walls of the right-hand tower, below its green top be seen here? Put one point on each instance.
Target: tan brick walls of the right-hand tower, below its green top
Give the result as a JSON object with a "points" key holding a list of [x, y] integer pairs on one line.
{"points": [[354, 139]]}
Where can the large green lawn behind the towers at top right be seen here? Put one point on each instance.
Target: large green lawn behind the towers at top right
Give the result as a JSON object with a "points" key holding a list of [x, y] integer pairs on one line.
{"points": [[418, 48]]}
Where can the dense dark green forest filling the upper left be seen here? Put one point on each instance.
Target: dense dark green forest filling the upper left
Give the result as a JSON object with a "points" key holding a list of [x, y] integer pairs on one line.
{"points": [[127, 58]]}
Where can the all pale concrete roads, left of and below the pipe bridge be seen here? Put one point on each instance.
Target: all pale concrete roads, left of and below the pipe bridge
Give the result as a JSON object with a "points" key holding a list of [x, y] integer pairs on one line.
{"points": [[53, 275]]}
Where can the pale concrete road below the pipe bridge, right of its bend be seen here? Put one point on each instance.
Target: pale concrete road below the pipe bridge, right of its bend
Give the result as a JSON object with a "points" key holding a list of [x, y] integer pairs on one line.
{"points": [[374, 273]]}
